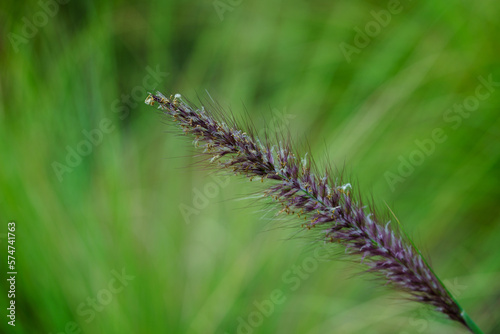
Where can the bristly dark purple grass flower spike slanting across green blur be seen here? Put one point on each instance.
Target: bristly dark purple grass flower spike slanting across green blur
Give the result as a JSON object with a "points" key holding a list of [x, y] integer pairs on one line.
{"points": [[321, 201]]}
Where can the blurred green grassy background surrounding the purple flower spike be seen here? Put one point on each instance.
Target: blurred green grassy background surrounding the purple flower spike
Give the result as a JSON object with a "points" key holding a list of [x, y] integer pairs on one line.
{"points": [[192, 255]]}
